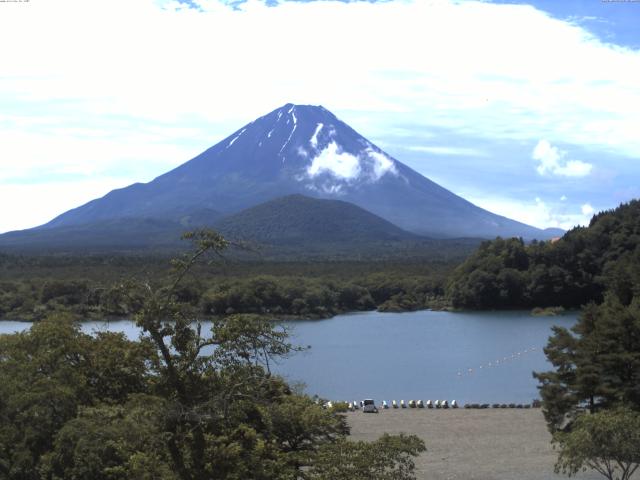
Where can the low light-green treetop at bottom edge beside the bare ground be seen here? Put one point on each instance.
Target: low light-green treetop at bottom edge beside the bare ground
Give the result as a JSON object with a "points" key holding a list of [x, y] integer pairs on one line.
{"points": [[388, 458]]}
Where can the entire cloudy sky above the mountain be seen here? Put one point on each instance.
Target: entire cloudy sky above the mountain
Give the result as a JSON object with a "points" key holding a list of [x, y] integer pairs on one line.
{"points": [[528, 109]]}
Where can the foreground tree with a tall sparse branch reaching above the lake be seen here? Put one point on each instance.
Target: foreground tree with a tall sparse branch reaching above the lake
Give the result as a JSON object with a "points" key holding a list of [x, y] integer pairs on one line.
{"points": [[225, 411]]}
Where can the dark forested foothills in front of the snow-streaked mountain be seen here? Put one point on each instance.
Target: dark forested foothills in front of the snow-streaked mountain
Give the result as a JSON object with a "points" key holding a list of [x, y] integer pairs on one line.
{"points": [[290, 227]]}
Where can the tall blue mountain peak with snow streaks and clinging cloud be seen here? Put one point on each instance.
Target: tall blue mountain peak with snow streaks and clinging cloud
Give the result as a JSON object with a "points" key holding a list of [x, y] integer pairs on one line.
{"points": [[298, 149]]}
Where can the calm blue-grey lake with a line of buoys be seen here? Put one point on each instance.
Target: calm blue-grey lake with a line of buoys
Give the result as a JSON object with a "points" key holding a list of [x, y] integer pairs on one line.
{"points": [[472, 357]]}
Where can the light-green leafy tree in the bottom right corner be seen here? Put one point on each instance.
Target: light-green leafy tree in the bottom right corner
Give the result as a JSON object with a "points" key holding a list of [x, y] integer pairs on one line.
{"points": [[607, 441]]}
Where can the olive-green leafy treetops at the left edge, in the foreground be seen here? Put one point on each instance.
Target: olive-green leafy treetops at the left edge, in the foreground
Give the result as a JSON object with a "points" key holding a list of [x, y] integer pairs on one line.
{"points": [[48, 373]]}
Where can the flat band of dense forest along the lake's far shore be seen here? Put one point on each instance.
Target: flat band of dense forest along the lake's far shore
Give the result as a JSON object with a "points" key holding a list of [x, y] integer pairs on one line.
{"points": [[91, 286]]}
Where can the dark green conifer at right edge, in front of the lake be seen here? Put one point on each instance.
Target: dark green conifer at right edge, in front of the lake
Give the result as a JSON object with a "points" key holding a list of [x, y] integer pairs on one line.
{"points": [[597, 364]]}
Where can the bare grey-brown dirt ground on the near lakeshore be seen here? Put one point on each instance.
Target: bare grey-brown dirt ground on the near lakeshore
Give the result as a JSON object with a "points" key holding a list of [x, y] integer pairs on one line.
{"points": [[467, 444]]}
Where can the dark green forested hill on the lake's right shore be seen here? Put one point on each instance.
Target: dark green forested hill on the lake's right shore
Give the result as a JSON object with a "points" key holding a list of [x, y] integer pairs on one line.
{"points": [[572, 271]]}
